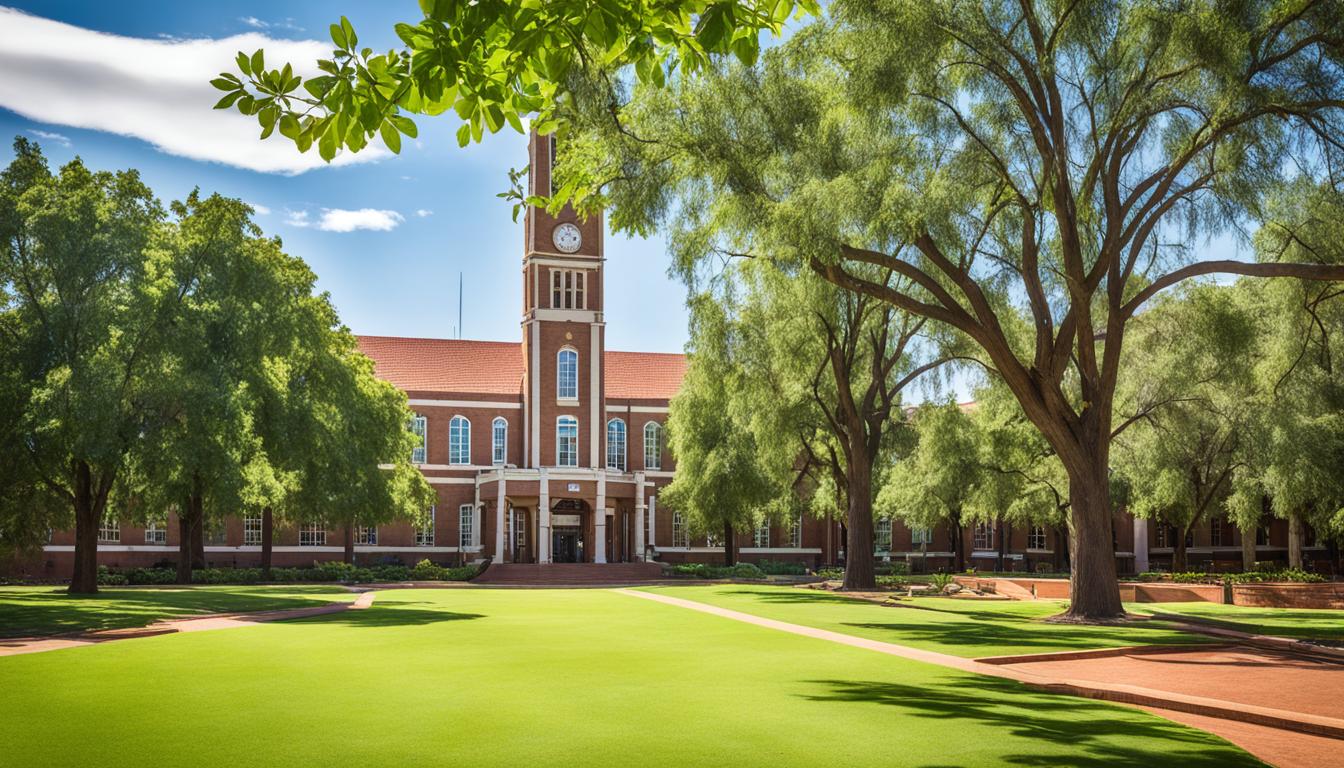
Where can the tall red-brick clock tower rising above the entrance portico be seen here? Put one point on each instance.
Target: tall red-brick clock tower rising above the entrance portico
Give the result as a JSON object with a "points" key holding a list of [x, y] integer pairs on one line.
{"points": [[562, 328]]}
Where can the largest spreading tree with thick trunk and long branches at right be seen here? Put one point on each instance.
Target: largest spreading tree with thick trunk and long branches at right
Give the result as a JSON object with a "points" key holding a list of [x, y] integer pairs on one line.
{"points": [[1001, 158]]}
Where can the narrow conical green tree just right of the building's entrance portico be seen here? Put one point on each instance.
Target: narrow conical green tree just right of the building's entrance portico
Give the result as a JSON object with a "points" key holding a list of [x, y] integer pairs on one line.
{"points": [[721, 482]]}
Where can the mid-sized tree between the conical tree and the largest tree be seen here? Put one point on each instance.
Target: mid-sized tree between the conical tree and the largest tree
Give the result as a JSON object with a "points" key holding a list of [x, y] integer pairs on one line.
{"points": [[821, 373]]}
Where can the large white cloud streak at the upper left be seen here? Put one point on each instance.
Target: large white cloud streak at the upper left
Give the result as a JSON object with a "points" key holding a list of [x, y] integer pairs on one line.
{"points": [[155, 91]]}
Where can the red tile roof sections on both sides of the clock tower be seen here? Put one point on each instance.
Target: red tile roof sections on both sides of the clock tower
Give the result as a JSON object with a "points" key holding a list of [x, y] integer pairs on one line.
{"points": [[497, 368]]}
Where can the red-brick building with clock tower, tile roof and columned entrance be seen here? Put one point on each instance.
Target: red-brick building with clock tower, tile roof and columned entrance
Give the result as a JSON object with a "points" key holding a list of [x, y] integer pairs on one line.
{"points": [[553, 450]]}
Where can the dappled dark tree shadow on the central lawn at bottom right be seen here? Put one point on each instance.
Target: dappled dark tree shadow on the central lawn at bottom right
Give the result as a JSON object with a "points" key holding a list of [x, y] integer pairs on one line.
{"points": [[1092, 730]]}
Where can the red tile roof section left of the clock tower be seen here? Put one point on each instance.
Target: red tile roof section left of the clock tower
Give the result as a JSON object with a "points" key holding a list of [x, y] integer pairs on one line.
{"points": [[447, 365]]}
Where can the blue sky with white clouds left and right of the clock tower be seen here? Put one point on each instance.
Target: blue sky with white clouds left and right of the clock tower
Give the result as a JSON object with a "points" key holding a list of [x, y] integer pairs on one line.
{"points": [[126, 85]]}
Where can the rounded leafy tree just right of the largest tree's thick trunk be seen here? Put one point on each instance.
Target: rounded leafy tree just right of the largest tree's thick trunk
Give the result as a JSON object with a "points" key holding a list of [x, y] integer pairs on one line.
{"points": [[1193, 397]]}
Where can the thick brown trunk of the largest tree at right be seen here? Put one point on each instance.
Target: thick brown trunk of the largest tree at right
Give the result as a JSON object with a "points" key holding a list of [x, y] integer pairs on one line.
{"points": [[1095, 591]]}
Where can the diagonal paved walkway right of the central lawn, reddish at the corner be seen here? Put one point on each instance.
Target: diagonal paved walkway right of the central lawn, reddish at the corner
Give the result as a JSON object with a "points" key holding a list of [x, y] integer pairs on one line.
{"points": [[1286, 738]]}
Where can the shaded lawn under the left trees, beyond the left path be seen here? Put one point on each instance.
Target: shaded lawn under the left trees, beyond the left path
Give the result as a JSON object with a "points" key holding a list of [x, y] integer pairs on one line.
{"points": [[49, 611]]}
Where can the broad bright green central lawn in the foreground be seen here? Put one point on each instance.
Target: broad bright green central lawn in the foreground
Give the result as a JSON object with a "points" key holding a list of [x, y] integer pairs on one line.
{"points": [[546, 679]]}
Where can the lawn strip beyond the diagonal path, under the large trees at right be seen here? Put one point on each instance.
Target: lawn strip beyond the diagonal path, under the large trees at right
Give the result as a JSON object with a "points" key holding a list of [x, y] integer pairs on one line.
{"points": [[959, 627]]}
